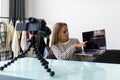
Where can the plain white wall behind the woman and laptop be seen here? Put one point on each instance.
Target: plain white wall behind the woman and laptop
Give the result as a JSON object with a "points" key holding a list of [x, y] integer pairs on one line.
{"points": [[80, 15]]}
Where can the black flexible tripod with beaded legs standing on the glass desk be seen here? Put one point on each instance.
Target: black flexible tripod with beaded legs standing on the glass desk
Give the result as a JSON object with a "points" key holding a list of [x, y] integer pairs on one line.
{"points": [[37, 53]]}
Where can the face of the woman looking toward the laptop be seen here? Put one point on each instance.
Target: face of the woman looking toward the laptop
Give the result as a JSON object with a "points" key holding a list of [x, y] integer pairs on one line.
{"points": [[64, 35]]}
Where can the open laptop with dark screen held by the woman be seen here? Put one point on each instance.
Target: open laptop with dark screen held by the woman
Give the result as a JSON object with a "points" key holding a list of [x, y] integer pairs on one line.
{"points": [[96, 41]]}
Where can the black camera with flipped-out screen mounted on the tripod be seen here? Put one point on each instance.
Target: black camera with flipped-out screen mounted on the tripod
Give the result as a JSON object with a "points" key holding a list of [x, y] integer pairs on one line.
{"points": [[34, 26]]}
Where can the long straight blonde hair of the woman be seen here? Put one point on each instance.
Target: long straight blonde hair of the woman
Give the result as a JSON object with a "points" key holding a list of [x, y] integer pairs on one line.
{"points": [[56, 31]]}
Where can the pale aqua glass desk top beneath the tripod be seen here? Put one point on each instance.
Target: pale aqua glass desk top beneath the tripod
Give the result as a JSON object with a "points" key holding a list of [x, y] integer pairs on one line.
{"points": [[31, 68]]}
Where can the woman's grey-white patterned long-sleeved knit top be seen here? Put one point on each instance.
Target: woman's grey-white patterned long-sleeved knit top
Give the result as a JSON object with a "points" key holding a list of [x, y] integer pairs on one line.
{"points": [[65, 50]]}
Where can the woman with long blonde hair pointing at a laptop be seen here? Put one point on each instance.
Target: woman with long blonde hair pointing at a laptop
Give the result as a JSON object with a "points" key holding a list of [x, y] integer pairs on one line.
{"points": [[62, 46]]}
